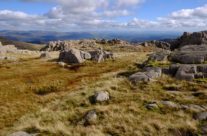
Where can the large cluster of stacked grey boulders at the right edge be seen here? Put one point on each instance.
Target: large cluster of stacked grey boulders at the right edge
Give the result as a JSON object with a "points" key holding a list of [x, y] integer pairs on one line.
{"points": [[188, 57]]}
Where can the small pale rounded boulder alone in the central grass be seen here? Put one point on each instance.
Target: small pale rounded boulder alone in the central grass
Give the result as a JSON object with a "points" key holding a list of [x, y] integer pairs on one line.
{"points": [[101, 96]]}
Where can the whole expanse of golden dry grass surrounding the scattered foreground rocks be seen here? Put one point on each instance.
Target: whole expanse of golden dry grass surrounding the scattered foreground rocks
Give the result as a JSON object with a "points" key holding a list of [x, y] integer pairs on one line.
{"points": [[60, 112]]}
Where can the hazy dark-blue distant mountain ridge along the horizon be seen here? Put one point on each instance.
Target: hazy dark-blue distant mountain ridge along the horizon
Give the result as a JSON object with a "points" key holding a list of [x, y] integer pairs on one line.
{"points": [[40, 37]]}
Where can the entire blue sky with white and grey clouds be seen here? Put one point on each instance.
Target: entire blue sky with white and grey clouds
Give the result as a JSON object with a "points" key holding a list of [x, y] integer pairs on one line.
{"points": [[99, 15]]}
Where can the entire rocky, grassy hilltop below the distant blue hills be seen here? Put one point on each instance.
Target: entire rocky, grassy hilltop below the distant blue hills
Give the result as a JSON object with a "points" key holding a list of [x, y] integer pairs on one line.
{"points": [[106, 87]]}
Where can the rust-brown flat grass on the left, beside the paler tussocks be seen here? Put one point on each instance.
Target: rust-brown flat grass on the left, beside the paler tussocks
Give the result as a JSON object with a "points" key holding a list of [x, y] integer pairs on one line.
{"points": [[19, 82]]}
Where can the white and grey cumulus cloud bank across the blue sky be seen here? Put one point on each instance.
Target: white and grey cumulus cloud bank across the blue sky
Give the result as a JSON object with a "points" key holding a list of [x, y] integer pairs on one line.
{"points": [[90, 14]]}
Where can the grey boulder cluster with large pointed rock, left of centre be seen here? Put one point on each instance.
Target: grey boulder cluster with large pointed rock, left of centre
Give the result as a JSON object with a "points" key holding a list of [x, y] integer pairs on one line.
{"points": [[72, 52]]}
